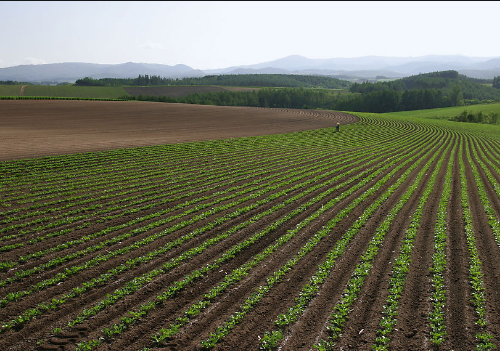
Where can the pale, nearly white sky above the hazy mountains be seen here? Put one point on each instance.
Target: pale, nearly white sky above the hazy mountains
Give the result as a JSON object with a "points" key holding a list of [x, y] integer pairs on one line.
{"points": [[222, 34]]}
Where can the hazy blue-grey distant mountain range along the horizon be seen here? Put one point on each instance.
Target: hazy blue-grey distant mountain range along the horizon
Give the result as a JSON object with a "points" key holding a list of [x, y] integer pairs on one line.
{"points": [[367, 67]]}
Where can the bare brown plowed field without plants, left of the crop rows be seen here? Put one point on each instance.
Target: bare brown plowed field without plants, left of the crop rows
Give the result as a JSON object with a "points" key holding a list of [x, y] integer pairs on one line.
{"points": [[34, 128]]}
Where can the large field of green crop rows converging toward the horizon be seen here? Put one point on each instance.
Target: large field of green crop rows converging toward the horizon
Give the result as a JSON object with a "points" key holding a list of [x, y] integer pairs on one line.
{"points": [[383, 236]]}
